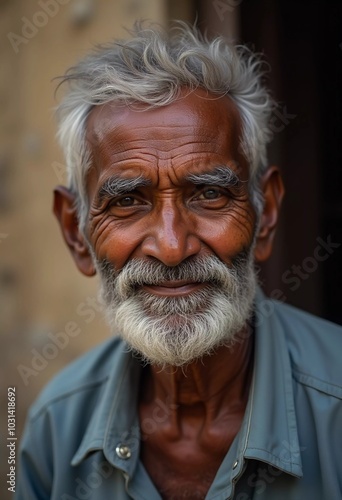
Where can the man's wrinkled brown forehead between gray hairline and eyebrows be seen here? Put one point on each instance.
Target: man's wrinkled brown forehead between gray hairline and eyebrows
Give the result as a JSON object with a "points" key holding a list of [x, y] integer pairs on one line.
{"points": [[194, 134]]}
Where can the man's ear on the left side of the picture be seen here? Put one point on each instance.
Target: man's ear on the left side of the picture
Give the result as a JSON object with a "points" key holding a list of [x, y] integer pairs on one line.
{"points": [[65, 210]]}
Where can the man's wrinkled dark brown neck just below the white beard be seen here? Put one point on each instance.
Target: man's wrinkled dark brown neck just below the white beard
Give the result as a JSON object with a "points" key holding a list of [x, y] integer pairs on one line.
{"points": [[208, 387]]}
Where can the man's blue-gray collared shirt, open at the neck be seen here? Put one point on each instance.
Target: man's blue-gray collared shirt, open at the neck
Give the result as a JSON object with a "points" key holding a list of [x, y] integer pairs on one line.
{"points": [[82, 438]]}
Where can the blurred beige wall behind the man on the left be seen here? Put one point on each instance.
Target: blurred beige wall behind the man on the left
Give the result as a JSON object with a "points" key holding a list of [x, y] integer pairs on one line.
{"points": [[41, 291]]}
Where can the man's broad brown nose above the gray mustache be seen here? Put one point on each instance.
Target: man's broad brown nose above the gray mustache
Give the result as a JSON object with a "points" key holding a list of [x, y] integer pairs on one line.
{"points": [[171, 236]]}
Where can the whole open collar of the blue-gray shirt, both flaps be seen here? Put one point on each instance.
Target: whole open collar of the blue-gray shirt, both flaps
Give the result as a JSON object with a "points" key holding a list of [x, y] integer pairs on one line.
{"points": [[269, 429]]}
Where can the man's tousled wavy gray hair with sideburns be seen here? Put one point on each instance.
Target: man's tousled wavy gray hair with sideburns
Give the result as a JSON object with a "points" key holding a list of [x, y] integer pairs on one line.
{"points": [[152, 68]]}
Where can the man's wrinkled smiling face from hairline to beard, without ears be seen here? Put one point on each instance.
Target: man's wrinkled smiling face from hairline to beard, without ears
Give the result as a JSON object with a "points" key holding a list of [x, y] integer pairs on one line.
{"points": [[171, 224]]}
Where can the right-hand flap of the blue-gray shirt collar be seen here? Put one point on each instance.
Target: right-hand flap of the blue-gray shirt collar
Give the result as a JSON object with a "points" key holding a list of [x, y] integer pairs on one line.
{"points": [[269, 430]]}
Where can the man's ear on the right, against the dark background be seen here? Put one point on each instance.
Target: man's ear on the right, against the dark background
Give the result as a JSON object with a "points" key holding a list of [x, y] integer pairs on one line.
{"points": [[273, 191]]}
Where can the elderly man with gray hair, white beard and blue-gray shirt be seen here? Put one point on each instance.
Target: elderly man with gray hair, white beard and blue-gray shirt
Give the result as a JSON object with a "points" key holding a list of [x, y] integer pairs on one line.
{"points": [[212, 391]]}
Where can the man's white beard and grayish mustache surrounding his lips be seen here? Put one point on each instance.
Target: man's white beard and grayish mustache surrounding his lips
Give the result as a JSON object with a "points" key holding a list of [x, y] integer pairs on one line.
{"points": [[178, 330]]}
